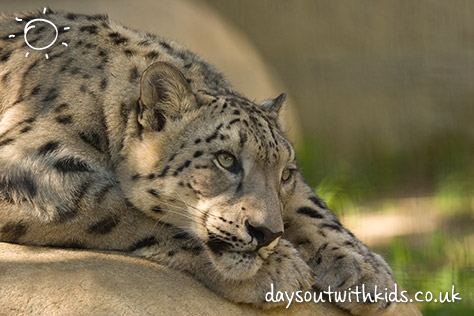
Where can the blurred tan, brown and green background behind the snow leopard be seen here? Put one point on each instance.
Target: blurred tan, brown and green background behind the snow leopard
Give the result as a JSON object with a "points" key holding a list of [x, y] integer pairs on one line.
{"points": [[381, 97]]}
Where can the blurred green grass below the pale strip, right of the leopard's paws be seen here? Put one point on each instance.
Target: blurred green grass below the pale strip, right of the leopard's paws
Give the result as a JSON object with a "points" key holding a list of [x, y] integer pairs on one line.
{"points": [[434, 263]]}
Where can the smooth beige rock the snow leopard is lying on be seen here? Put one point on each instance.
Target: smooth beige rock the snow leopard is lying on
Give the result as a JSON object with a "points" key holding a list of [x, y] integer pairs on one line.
{"points": [[44, 281]]}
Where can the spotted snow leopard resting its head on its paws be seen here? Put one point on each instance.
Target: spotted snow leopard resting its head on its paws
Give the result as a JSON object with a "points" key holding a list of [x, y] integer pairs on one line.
{"points": [[112, 143]]}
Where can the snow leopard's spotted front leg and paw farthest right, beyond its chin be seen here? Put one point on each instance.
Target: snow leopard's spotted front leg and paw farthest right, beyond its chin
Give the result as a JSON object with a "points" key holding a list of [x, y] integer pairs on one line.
{"points": [[338, 259]]}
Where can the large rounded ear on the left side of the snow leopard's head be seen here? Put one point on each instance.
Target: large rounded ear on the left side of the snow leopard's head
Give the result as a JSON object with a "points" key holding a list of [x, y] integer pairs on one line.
{"points": [[164, 94]]}
